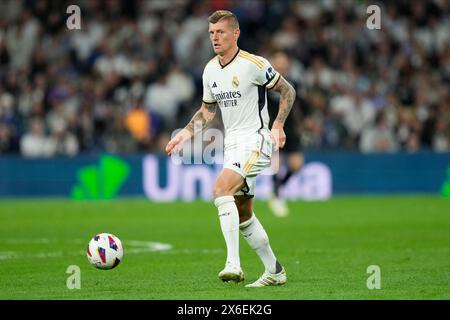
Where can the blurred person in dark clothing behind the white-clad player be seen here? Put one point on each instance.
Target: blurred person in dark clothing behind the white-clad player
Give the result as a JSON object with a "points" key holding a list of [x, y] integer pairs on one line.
{"points": [[292, 151]]}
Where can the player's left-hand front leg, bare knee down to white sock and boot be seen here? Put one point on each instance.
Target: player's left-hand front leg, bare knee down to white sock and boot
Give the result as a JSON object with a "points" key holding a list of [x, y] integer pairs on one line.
{"points": [[228, 183]]}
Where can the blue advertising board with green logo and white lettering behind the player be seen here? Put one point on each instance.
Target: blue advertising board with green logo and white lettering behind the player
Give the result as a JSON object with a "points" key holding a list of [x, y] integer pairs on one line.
{"points": [[160, 179]]}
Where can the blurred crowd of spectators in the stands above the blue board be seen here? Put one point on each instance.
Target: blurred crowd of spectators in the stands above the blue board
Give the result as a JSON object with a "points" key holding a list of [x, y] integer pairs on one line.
{"points": [[132, 73]]}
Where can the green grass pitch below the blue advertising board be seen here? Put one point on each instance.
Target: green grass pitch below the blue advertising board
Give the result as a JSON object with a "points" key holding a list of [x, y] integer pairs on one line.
{"points": [[326, 248]]}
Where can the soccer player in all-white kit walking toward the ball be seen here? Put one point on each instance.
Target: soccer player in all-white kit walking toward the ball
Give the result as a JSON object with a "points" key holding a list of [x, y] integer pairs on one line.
{"points": [[237, 82]]}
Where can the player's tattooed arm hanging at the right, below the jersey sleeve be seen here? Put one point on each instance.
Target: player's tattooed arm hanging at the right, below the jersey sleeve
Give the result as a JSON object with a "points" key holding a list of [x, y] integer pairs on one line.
{"points": [[287, 98]]}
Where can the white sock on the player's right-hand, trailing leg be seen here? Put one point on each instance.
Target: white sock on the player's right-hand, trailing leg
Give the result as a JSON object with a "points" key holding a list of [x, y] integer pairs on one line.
{"points": [[257, 238]]}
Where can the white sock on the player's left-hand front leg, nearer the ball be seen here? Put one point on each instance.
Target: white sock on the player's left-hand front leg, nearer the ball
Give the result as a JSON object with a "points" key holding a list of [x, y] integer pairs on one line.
{"points": [[229, 222]]}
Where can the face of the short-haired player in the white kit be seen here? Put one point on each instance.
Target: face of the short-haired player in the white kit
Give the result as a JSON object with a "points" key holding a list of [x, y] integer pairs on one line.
{"points": [[223, 37]]}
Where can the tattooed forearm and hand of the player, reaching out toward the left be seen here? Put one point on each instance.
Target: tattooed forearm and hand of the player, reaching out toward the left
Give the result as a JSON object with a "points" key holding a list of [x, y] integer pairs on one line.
{"points": [[204, 115]]}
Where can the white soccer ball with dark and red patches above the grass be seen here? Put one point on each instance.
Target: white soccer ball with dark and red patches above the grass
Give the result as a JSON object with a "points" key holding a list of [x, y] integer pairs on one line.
{"points": [[105, 251]]}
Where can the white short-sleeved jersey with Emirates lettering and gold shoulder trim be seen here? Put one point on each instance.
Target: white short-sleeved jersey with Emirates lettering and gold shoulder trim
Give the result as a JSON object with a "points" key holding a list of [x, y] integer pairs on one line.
{"points": [[240, 90]]}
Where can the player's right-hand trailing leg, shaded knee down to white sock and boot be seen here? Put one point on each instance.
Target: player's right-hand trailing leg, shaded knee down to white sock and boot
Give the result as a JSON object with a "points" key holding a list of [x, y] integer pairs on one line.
{"points": [[256, 236]]}
